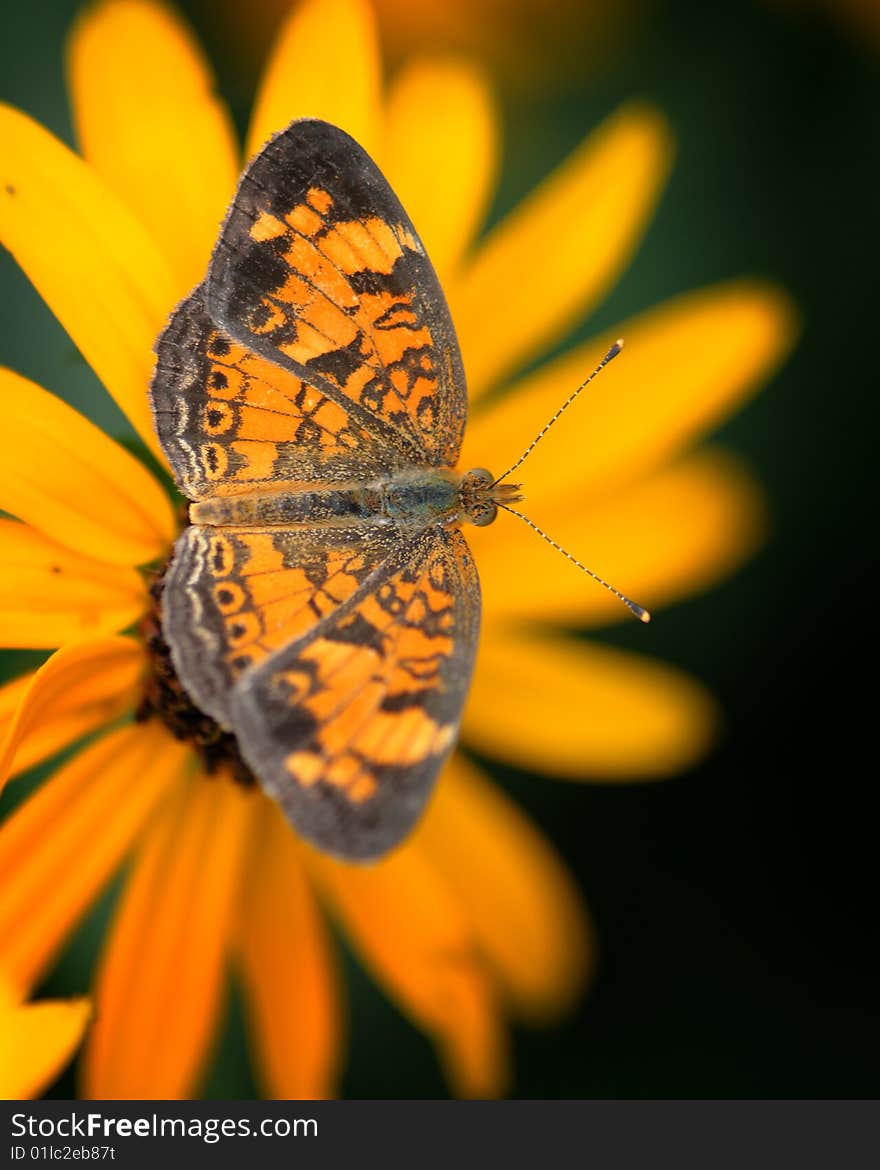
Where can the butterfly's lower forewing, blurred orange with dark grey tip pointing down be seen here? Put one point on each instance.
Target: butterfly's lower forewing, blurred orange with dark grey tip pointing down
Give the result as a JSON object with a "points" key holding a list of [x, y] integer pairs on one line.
{"points": [[349, 726]]}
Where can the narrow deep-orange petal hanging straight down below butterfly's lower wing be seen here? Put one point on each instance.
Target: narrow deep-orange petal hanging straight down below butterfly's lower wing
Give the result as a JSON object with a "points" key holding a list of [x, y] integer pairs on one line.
{"points": [[291, 982]]}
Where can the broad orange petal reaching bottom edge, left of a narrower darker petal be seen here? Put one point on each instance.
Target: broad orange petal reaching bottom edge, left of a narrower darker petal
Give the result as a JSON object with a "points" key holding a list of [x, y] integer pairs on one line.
{"points": [[161, 981]]}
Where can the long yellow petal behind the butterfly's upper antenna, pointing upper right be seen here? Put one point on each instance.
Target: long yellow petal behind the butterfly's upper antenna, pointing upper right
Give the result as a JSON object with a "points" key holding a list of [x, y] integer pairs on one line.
{"points": [[686, 366]]}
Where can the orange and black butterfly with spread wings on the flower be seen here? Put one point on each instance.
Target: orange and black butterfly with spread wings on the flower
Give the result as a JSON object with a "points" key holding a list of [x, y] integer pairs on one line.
{"points": [[324, 605]]}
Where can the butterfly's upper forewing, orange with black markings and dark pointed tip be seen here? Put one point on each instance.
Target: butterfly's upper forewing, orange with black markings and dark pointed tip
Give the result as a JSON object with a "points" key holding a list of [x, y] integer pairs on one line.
{"points": [[320, 271]]}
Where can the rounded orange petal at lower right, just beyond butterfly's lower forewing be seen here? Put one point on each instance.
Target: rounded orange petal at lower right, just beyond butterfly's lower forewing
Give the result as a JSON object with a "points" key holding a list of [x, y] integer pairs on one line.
{"points": [[520, 900]]}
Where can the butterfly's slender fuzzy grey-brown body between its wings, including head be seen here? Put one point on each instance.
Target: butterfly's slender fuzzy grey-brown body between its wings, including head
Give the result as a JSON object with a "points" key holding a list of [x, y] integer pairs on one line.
{"points": [[410, 500]]}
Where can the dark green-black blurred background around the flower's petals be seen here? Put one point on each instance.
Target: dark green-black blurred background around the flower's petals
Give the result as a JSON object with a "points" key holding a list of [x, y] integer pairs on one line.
{"points": [[735, 905]]}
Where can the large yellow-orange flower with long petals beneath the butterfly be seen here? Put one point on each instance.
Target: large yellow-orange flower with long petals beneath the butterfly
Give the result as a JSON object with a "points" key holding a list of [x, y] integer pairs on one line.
{"points": [[473, 919]]}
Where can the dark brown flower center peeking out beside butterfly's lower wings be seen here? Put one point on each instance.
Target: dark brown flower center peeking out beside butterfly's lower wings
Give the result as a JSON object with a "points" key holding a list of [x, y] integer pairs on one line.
{"points": [[164, 698]]}
